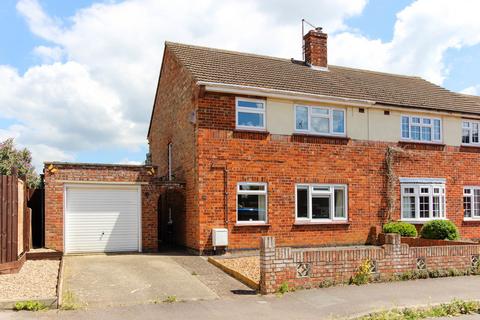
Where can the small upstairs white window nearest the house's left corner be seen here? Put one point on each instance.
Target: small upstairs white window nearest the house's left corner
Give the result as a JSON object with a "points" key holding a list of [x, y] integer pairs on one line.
{"points": [[250, 114]]}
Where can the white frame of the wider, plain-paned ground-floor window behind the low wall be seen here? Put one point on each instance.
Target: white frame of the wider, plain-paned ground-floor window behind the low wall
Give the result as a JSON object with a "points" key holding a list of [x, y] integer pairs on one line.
{"points": [[330, 193]]}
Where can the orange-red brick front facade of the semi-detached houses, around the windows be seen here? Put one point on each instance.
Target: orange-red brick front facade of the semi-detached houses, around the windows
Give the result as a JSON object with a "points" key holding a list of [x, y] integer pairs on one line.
{"points": [[283, 161]]}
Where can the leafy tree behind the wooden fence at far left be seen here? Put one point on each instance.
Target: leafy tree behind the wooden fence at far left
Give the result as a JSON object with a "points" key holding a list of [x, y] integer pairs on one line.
{"points": [[12, 159]]}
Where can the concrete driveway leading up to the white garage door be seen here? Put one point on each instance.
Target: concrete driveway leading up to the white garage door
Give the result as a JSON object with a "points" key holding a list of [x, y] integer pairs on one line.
{"points": [[112, 280]]}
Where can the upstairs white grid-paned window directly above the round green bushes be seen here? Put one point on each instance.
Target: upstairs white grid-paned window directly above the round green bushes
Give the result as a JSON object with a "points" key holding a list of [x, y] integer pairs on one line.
{"points": [[415, 128]]}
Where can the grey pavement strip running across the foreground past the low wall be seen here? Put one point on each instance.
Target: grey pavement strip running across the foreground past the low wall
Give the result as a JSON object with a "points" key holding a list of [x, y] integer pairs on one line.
{"points": [[328, 303]]}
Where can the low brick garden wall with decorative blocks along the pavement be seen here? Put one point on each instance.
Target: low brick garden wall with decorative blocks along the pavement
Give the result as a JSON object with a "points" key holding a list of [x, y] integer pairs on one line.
{"points": [[313, 267]]}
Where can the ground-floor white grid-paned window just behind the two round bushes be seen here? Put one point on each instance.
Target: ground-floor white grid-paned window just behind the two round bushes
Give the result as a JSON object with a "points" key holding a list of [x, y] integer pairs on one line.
{"points": [[423, 202]]}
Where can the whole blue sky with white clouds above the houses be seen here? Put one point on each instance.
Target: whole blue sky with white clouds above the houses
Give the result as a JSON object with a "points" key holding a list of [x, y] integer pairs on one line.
{"points": [[77, 78]]}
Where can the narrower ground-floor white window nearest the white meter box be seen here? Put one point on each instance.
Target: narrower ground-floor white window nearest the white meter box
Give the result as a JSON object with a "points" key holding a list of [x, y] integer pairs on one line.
{"points": [[251, 202]]}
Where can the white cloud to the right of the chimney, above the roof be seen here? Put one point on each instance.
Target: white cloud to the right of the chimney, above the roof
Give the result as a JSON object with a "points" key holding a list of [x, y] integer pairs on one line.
{"points": [[423, 32]]}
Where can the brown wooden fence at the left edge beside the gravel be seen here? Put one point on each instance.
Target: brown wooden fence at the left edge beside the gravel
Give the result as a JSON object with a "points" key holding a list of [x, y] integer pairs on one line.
{"points": [[14, 224]]}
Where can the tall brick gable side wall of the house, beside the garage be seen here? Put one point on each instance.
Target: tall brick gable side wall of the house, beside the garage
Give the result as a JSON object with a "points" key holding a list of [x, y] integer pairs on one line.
{"points": [[173, 121]]}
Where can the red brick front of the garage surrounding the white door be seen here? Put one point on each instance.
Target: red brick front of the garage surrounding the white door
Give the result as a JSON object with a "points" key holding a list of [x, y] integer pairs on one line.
{"points": [[68, 173]]}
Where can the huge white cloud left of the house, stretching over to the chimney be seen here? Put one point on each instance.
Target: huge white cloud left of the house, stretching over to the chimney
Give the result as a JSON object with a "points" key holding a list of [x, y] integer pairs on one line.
{"points": [[99, 70]]}
